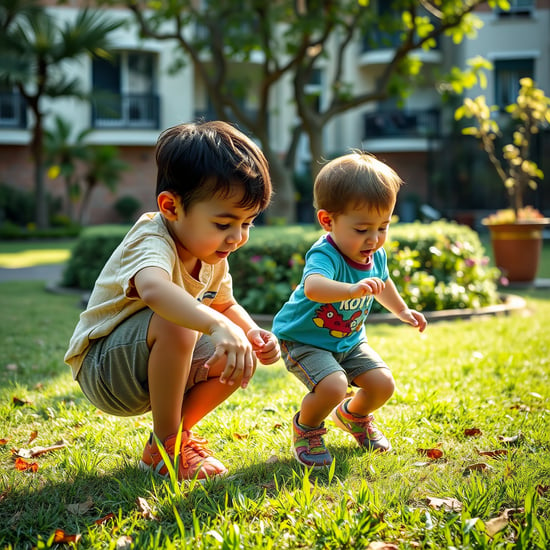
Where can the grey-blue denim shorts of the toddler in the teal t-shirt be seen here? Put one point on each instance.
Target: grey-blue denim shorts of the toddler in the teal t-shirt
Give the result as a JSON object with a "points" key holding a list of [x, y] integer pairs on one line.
{"points": [[310, 364]]}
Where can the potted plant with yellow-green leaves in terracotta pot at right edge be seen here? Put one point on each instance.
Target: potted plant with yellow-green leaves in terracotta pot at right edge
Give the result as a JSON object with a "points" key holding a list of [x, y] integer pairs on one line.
{"points": [[516, 232]]}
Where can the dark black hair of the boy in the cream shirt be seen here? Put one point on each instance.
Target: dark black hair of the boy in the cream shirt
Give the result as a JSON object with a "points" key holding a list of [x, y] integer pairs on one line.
{"points": [[200, 159]]}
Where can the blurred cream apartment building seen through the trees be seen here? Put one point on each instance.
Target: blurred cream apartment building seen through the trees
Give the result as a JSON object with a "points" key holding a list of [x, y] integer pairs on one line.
{"points": [[147, 97]]}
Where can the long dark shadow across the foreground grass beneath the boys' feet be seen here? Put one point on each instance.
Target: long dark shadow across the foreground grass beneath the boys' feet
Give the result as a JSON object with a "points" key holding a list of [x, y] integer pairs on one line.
{"points": [[34, 508]]}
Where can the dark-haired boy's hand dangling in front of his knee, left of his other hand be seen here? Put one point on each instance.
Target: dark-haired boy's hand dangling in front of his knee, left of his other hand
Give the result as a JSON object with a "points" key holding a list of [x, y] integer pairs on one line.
{"points": [[232, 347]]}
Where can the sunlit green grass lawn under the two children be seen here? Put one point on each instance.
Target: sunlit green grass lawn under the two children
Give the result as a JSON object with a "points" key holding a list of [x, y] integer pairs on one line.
{"points": [[490, 374]]}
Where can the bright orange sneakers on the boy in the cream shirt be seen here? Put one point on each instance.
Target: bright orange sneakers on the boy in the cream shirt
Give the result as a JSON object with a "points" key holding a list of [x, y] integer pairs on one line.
{"points": [[194, 458]]}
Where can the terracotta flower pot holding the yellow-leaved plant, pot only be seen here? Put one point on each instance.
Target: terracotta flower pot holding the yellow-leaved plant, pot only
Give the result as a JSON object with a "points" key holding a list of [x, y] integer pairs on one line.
{"points": [[517, 247]]}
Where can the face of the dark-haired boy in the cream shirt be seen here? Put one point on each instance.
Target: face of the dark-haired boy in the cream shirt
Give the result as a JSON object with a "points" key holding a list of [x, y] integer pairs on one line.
{"points": [[211, 229]]}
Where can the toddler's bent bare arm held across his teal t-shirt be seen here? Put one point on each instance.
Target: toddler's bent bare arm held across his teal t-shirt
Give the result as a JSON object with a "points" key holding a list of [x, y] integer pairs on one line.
{"points": [[321, 289]]}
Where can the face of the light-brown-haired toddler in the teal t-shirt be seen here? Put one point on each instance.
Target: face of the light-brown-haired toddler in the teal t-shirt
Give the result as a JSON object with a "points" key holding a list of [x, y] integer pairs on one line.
{"points": [[358, 232]]}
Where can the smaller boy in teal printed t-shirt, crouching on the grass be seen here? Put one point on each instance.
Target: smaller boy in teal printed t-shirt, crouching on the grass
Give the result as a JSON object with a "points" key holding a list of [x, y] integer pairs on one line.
{"points": [[321, 327]]}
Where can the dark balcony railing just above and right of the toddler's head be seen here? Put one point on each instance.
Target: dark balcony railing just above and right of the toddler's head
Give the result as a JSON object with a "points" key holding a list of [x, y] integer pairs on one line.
{"points": [[402, 124]]}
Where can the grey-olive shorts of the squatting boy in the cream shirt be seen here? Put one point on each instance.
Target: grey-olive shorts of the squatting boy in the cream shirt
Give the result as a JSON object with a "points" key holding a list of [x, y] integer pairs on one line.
{"points": [[113, 375]]}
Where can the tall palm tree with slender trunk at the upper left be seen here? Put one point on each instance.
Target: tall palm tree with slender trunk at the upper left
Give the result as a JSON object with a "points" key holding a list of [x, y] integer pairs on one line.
{"points": [[34, 47]]}
